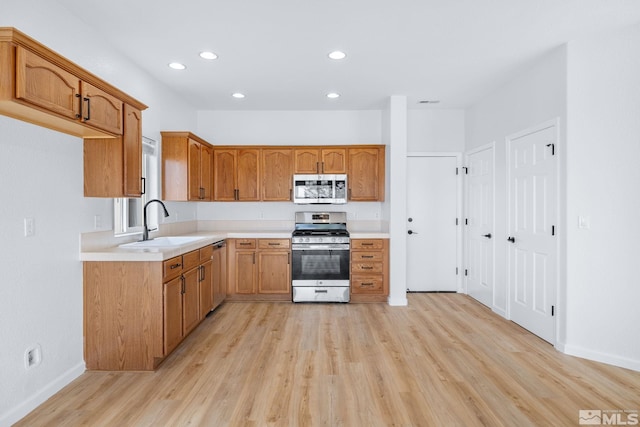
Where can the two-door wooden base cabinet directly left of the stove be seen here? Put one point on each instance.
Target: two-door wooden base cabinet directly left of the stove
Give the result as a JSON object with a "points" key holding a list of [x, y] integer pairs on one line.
{"points": [[259, 270]]}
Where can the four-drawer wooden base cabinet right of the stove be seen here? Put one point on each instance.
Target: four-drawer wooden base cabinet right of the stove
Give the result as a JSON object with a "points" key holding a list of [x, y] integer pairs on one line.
{"points": [[369, 270]]}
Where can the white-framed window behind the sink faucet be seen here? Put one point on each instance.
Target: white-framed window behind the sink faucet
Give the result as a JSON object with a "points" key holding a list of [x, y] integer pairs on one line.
{"points": [[127, 212]]}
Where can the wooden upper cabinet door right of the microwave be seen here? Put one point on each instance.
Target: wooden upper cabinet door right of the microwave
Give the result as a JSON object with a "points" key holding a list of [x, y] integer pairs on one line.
{"points": [[366, 174]]}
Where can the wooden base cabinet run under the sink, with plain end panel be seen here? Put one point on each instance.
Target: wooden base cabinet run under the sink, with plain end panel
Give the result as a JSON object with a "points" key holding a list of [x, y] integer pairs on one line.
{"points": [[136, 313]]}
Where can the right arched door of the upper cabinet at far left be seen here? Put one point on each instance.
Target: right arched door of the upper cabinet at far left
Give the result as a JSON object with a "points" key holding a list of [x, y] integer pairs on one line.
{"points": [[101, 110]]}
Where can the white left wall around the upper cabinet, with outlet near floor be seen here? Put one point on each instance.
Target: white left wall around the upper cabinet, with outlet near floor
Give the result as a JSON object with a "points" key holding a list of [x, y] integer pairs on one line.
{"points": [[41, 177]]}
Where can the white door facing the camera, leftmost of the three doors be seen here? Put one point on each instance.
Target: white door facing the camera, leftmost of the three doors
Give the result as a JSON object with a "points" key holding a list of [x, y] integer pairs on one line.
{"points": [[432, 203]]}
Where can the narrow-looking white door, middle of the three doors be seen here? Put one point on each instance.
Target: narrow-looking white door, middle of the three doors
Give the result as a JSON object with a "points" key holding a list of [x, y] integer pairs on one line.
{"points": [[479, 230]]}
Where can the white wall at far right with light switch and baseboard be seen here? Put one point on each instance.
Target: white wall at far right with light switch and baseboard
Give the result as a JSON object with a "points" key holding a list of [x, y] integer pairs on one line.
{"points": [[603, 292]]}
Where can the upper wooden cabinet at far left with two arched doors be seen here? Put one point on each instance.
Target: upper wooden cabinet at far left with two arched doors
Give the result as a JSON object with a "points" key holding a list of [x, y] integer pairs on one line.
{"points": [[39, 86]]}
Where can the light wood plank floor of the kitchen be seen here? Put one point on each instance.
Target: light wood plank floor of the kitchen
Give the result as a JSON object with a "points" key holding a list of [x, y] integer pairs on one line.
{"points": [[445, 360]]}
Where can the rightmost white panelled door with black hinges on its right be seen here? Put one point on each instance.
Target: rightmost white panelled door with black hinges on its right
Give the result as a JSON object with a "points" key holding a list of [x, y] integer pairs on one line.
{"points": [[533, 254]]}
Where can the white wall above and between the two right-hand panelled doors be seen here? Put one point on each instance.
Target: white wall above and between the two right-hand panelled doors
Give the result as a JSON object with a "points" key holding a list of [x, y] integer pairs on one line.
{"points": [[534, 97]]}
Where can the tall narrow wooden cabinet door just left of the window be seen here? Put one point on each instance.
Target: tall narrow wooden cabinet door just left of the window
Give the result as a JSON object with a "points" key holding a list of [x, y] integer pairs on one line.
{"points": [[132, 151]]}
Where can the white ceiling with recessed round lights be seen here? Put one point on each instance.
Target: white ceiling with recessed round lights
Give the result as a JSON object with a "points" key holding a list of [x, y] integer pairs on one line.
{"points": [[275, 51]]}
